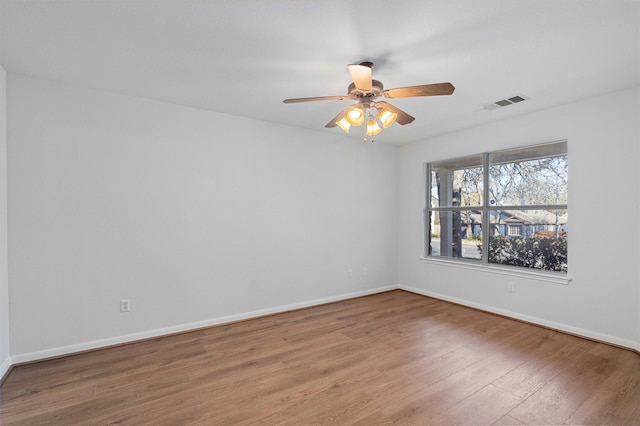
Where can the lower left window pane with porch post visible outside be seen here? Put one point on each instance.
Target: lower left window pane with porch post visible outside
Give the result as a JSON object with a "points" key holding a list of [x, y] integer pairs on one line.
{"points": [[455, 234]]}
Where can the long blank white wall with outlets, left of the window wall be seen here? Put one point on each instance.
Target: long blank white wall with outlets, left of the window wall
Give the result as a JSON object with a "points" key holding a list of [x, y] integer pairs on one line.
{"points": [[195, 216]]}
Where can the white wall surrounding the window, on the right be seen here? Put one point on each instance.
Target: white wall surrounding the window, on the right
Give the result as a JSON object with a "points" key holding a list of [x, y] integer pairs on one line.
{"points": [[602, 300]]}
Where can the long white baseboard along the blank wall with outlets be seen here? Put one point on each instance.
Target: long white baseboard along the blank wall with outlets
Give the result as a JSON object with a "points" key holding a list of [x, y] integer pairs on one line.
{"points": [[118, 340]]}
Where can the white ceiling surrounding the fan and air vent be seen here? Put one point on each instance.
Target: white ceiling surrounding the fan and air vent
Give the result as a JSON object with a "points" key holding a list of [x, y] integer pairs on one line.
{"points": [[244, 57]]}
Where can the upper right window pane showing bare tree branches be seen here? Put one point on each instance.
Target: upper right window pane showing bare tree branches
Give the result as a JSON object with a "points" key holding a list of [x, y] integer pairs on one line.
{"points": [[531, 179]]}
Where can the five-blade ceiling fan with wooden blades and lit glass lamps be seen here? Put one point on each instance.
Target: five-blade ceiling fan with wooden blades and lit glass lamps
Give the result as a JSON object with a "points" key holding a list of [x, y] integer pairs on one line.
{"points": [[365, 91]]}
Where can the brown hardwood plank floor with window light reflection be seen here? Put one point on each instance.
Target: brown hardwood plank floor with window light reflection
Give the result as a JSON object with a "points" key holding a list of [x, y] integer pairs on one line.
{"points": [[391, 358]]}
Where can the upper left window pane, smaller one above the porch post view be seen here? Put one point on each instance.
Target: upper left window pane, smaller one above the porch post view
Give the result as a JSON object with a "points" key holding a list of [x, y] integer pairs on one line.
{"points": [[457, 182]]}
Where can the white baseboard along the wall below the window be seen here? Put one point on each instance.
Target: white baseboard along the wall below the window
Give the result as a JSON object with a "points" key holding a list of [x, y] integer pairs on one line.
{"points": [[534, 320]]}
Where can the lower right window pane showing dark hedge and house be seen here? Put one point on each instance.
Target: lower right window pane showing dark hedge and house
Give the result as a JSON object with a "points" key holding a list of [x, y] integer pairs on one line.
{"points": [[529, 238]]}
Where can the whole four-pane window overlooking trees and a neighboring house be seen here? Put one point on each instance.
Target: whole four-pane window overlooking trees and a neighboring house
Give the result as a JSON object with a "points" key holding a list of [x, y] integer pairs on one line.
{"points": [[505, 207]]}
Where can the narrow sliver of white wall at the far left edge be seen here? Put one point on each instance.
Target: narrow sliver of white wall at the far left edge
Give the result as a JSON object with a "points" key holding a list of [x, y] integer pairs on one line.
{"points": [[5, 359]]}
